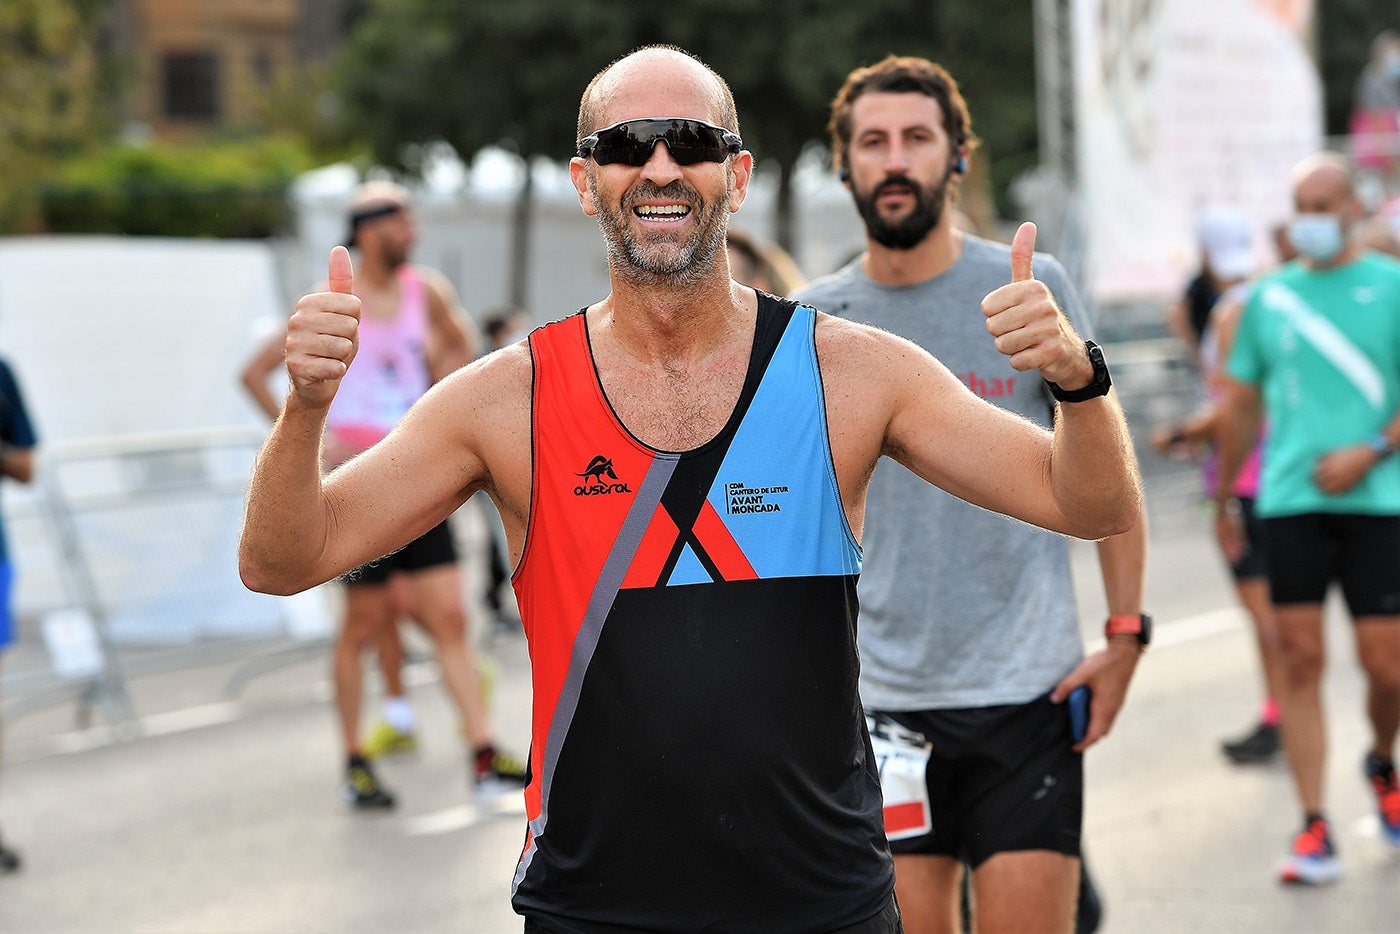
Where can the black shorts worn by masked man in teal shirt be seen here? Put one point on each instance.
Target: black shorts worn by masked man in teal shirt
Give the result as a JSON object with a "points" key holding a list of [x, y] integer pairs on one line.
{"points": [[1308, 552]]}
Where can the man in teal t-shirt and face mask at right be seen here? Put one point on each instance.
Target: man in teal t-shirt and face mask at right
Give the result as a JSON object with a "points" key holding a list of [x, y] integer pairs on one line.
{"points": [[1318, 354]]}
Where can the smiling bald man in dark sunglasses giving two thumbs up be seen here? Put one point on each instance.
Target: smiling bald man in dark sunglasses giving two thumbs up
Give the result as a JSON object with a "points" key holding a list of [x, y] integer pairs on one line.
{"points": [[681, 470]]}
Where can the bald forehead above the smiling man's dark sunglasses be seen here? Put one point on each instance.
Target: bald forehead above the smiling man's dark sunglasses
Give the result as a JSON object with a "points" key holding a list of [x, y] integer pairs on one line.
{"points": [[664, 86]]}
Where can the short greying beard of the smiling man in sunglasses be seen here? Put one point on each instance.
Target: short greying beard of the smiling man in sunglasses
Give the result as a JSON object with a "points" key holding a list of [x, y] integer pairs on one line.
{"points": [[646, 263]]}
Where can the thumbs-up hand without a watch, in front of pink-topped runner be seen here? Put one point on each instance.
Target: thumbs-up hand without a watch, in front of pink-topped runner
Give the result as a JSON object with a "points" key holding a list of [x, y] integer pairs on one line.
{"points": [[323, 335]]}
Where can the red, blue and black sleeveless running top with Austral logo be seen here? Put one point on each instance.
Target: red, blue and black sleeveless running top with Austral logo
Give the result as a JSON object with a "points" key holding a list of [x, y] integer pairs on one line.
{"points": [[699, 755]]}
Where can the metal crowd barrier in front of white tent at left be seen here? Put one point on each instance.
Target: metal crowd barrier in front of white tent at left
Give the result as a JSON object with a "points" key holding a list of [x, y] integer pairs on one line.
{"points": [[128, 566]]}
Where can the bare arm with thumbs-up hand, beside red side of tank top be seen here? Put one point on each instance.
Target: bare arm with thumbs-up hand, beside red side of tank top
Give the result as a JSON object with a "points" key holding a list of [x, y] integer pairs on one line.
{"points": [[302, 530]]}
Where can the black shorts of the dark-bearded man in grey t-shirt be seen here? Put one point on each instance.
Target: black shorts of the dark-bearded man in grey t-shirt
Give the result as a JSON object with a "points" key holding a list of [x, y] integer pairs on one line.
{"points": [[1000, 779]]}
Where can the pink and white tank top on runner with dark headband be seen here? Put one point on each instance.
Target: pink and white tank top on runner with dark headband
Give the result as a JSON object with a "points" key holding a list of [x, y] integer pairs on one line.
{"points": [[390, 372]]}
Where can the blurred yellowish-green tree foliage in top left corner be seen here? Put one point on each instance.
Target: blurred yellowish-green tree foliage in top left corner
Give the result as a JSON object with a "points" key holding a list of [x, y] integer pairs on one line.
{"points": [[51, 99]]}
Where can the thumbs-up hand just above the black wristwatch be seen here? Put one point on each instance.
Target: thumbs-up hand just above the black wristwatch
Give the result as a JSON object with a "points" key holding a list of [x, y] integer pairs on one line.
{"points": [[1028, 326]]}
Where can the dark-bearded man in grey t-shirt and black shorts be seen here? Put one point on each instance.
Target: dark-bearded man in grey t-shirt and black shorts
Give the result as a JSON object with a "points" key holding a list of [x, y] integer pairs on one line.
{"points": [[969, 634]]}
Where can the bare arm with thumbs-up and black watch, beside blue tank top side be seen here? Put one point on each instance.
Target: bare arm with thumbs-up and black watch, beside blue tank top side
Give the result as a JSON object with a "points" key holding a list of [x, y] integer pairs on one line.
{"points": [[1080, 480]]}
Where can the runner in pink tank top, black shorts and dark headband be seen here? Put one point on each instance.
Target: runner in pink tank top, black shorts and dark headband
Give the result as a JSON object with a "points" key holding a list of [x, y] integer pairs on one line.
{"points": [[414, 338]]}
